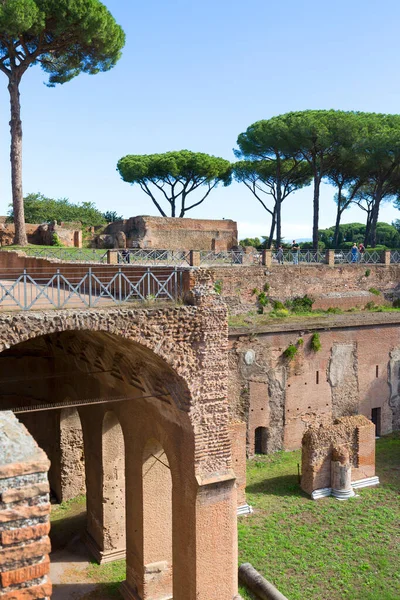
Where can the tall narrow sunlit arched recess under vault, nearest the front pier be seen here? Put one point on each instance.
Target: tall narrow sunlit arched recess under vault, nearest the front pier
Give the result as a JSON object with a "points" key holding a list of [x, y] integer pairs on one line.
{"points": [[157, 522]]}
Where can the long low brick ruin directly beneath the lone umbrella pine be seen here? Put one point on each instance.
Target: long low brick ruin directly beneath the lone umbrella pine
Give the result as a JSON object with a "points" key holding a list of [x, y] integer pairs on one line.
{"points": [[170, 234]]}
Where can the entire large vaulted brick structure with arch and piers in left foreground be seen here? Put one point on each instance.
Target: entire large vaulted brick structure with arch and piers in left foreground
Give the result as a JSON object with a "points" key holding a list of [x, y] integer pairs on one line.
{"points": [[149, 387]]}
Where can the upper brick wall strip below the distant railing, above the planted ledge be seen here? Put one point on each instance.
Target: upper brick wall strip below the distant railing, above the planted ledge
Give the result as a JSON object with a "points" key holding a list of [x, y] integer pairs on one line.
{"points": [[340, 286]]}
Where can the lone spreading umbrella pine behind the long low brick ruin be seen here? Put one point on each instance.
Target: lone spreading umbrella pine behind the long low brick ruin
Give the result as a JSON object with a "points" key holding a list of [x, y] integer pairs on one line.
{"points": [[173, 176]]}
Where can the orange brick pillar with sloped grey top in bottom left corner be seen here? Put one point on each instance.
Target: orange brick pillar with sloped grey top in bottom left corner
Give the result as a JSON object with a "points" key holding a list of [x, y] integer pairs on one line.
{"points": [[24, 514]]}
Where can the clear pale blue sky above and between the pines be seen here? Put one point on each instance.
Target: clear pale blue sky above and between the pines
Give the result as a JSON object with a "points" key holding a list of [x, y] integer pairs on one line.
{"points": [[195, 75]]}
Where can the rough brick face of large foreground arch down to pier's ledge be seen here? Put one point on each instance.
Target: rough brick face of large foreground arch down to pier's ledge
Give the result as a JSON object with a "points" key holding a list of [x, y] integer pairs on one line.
{"points": [[187, 343]]}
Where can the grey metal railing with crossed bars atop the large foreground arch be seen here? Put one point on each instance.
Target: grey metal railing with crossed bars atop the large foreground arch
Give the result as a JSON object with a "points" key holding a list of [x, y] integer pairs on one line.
{"points": [[25, 291]]}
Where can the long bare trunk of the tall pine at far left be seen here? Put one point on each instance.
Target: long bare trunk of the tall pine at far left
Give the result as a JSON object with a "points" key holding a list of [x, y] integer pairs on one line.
{"points": [[16, 163]]}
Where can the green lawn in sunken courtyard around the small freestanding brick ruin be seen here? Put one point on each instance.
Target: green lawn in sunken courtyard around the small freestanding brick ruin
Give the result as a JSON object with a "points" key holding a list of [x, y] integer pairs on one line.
{"points": [[324, 550]]}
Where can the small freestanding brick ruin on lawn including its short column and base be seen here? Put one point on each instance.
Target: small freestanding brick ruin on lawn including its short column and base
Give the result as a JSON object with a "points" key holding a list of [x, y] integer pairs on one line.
{"points": [[348, 445]]}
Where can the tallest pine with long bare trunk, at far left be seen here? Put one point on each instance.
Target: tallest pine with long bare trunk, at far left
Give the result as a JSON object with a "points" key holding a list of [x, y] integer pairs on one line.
{"points": [[66, 38]]}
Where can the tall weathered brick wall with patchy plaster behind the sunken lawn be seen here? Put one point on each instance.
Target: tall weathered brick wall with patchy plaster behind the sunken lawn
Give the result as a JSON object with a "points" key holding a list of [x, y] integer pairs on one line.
{"points": [[356, 370]]}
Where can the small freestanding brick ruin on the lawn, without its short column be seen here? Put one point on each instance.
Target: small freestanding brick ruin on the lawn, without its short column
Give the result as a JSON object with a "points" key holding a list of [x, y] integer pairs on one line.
{"points": [[356, 434]]}
